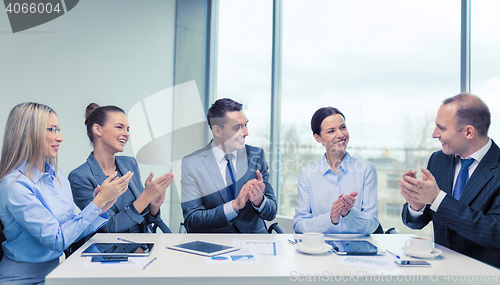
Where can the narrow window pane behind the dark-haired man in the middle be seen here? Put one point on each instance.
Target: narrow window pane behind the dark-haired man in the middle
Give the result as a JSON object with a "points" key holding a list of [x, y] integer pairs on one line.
{"points": [[244, 62]]}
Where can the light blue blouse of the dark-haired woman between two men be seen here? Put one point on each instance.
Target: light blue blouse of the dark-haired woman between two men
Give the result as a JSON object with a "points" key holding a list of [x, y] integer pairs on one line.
{"points": [[319, 187]]}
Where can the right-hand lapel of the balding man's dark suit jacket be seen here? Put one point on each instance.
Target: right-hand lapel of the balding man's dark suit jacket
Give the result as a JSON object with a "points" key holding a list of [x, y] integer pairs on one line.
{"points": [[481, 175]]}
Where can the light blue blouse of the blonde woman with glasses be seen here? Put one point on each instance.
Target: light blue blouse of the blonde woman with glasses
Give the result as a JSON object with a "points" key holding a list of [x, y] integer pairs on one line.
{"points": [[38, 216]]}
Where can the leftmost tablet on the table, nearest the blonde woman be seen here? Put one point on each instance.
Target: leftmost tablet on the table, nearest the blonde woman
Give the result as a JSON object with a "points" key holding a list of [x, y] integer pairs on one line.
{"points": [[121, 249]]}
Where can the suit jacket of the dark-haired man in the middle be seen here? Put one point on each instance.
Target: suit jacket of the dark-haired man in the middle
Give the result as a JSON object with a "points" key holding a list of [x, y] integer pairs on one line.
{"points": [[204, 193]]}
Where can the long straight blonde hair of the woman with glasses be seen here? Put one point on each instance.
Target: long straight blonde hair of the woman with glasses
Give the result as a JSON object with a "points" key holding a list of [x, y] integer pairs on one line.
{"points": [[24, 138]]}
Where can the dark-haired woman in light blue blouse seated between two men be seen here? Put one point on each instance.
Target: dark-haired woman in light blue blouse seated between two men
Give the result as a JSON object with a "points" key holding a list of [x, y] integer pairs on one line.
{"points": [[337, 194]]}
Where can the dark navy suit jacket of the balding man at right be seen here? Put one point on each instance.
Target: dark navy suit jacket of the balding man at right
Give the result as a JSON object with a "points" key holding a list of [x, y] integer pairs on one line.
{"points": [[472, 225]]}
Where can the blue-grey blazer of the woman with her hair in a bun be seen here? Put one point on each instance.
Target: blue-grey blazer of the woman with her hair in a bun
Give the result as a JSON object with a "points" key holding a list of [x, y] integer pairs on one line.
{"points": [[123, 217]]}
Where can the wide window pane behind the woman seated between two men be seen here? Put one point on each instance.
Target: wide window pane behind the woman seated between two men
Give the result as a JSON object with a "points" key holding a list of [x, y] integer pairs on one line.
{"points": [[386, 65]]}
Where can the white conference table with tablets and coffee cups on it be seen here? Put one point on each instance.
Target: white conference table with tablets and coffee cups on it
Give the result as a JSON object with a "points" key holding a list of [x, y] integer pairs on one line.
{"points": [[175, 267]]}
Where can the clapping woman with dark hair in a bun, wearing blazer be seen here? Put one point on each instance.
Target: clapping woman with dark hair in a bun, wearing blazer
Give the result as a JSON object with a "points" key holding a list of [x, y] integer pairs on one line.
{"points": [[139, 207]]}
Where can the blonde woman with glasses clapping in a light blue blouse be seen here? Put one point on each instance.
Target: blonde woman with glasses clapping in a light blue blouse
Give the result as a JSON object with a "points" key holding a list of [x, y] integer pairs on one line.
{"points": [[36, 205]]}
